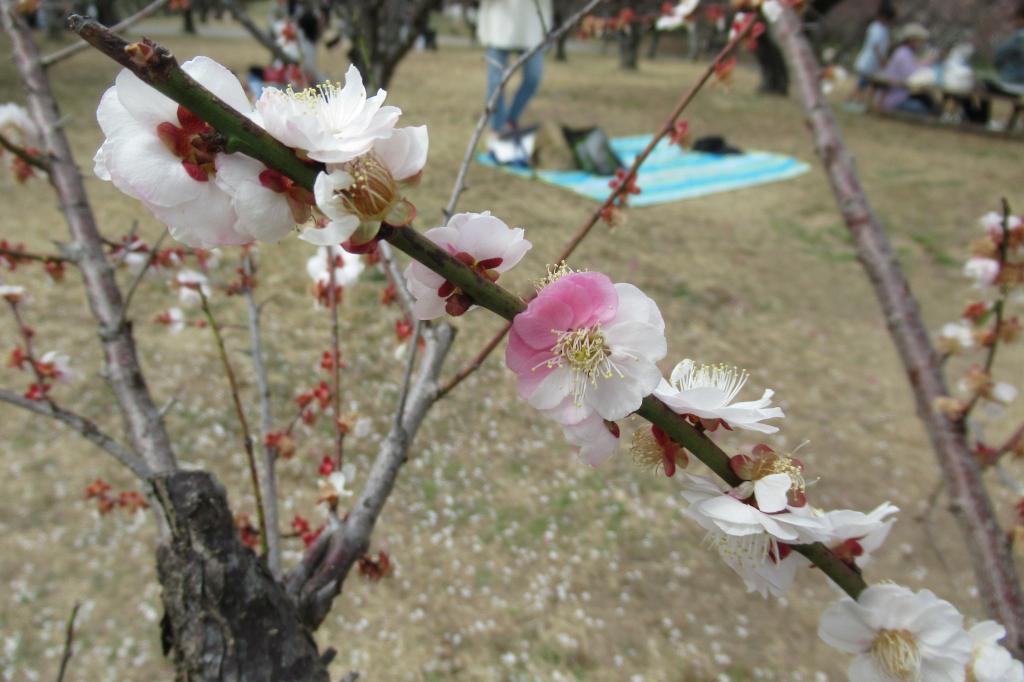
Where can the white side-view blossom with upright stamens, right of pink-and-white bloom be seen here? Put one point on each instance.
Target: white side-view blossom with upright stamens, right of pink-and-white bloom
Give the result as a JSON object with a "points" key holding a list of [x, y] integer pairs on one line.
{"points": [[708, 392]]}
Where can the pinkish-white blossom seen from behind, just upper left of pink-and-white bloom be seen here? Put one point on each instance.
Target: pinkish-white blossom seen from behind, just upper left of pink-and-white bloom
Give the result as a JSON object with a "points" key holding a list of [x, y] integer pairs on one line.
{"points": [[479, 240]]}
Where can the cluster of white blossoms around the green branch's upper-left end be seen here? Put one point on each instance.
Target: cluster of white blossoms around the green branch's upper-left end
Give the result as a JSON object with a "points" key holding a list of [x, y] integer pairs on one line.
{"points": [[180, 168]]}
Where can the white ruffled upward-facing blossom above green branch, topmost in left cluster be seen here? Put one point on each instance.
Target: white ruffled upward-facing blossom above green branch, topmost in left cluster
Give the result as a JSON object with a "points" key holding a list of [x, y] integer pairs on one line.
{"points": [[329, 123]]}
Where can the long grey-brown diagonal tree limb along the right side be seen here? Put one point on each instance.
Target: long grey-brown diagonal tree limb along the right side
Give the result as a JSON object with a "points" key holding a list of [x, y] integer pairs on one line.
{"points": [[988, 546]]}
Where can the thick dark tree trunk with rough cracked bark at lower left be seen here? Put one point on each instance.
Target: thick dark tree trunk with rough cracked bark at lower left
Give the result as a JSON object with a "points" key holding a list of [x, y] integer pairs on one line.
{"points": [[226, 619]]}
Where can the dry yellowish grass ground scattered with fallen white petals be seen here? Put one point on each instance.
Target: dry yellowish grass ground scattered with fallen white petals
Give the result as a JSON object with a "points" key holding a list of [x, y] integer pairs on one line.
{"points": [[514, 561]]}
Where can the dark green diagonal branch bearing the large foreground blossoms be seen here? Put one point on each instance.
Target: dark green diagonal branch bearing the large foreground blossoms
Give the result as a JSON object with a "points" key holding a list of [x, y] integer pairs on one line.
{"points": [[163, 73]]}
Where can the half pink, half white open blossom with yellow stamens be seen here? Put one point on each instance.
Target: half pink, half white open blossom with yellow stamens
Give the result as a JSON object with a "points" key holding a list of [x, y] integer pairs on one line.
{"points": [[586, 346]]}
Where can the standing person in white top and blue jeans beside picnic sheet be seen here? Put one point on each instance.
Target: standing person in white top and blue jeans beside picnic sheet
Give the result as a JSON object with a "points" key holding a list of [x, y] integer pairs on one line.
{"points": [[506, 28]]}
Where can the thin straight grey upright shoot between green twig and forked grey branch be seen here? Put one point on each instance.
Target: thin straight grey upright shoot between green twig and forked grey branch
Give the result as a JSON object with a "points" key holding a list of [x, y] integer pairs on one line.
{"points": [[268, 474]]}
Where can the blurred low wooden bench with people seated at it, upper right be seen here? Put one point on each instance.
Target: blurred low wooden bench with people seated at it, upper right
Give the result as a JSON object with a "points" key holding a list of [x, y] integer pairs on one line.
{"points": [[950, 106]]}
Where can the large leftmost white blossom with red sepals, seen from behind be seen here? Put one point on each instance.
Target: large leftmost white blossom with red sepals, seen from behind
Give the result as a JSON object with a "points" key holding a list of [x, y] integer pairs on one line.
{"points": [[156, 152]]}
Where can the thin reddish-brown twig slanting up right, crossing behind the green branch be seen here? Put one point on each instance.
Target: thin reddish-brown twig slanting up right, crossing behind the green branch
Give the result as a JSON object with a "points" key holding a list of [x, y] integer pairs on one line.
{"points": [[669, 126]]}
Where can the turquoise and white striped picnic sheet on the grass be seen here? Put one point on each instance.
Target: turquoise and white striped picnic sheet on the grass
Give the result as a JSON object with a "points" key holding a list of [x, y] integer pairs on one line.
{"points": [[671, 175]]}
